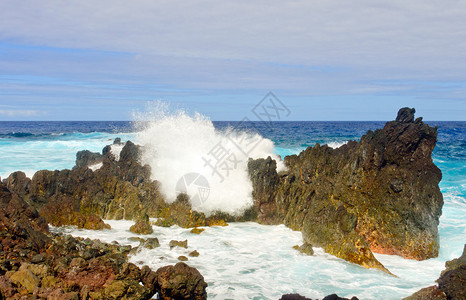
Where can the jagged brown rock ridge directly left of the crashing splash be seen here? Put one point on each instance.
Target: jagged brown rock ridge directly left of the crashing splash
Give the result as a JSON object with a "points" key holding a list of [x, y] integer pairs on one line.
{"points": [[118, 190]]}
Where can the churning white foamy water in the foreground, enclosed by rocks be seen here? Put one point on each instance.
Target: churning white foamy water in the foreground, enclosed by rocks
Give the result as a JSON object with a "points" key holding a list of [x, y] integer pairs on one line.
{"points": [[253, 261]]}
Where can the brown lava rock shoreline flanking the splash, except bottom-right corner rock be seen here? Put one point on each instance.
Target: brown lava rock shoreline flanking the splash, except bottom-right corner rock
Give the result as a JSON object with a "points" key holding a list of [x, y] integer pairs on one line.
{"points": [[377, 195]]}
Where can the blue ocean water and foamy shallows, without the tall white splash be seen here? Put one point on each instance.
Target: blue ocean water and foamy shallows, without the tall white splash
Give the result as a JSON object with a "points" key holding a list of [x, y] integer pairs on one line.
{"points": [[32, 146]]}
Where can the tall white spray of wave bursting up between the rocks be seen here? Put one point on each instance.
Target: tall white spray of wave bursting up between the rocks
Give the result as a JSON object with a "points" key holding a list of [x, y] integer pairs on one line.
{"points": [[176, 144]]}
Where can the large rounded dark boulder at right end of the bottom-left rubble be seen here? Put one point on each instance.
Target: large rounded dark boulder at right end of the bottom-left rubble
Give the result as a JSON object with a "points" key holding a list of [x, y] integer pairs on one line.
{"points": [[180, 282]]}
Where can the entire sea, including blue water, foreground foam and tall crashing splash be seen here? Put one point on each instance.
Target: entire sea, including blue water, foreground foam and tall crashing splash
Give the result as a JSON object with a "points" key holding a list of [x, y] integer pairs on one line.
{"points": [[244, 260]]}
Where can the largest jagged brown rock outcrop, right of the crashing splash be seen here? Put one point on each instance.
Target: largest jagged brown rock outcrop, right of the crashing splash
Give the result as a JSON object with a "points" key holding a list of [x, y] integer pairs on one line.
{"points": [[379, 195]]}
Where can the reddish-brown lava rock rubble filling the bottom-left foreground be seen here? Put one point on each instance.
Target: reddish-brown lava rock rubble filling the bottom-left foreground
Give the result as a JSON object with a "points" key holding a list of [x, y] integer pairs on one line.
{"points": [[35, 264]]}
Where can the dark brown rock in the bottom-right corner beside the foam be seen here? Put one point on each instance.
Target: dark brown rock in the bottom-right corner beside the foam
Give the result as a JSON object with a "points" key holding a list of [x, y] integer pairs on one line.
{"points": [[451, 283]]}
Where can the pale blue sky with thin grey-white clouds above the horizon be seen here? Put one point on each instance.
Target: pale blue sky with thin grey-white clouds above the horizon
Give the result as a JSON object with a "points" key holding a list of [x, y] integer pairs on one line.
{"points": [[324, 60]]}
